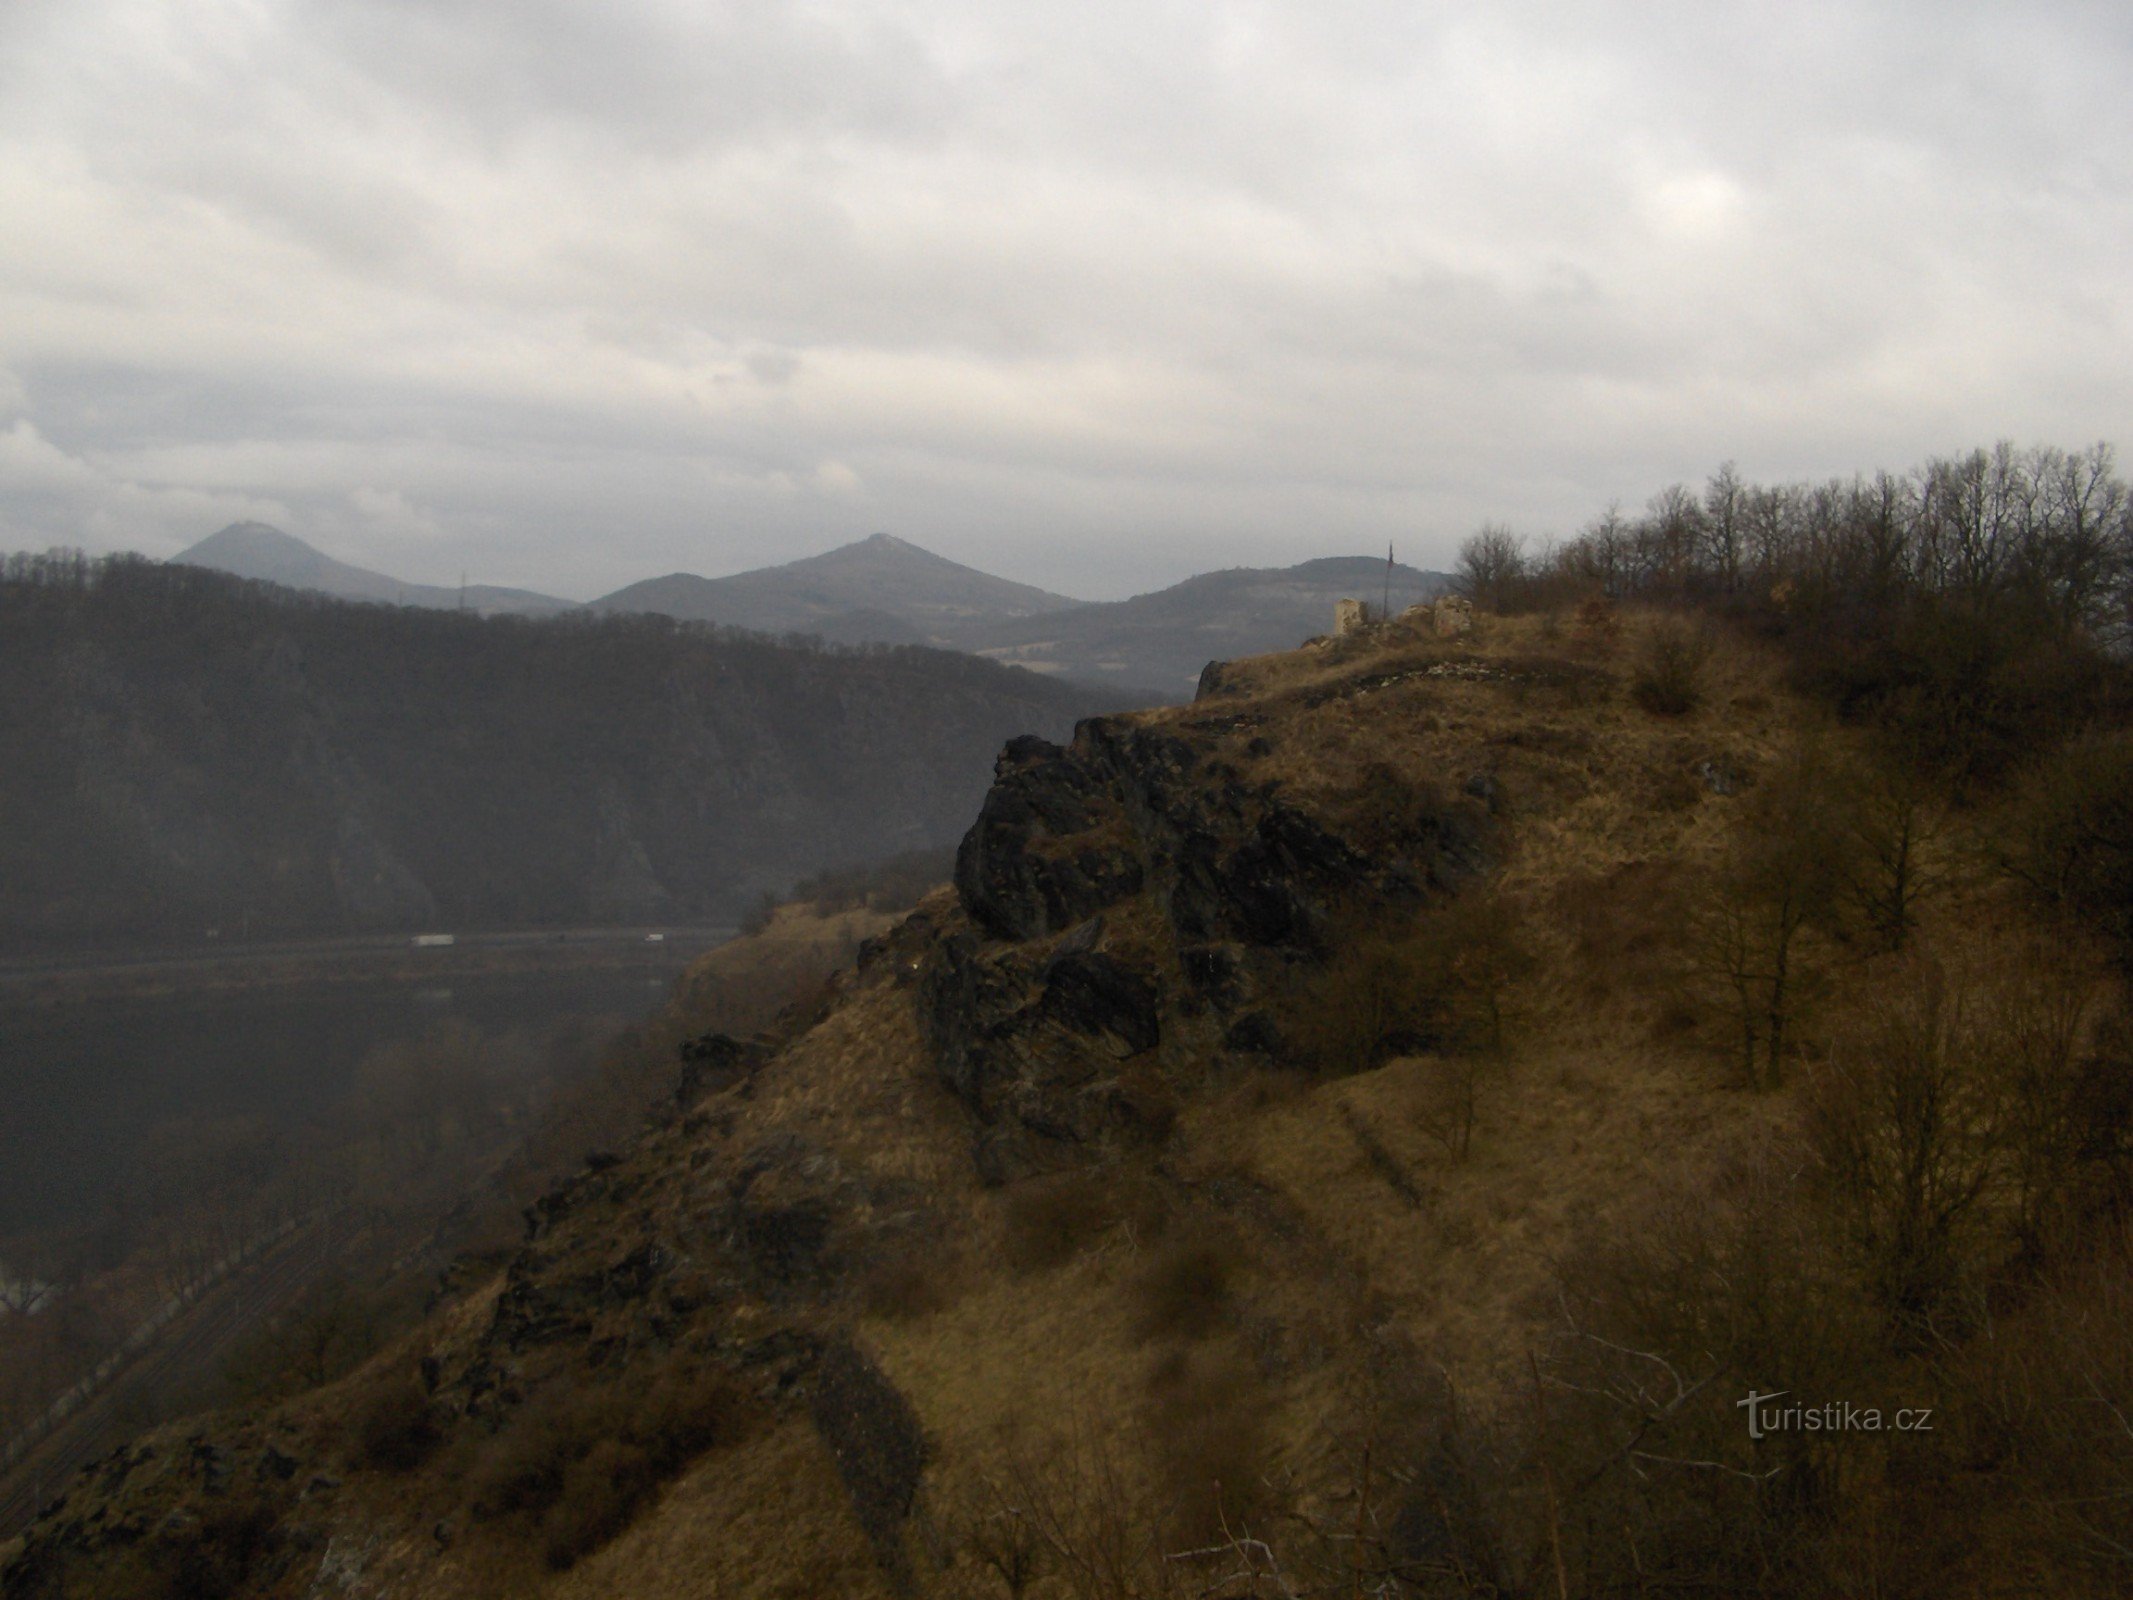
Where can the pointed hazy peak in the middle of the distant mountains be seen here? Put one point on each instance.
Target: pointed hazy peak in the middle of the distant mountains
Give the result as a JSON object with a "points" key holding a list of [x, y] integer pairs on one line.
{"points": [[878, 590]]}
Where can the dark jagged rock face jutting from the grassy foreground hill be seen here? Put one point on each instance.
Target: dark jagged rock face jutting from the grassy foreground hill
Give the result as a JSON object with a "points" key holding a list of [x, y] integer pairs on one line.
{"points": [[1040, 1019]]}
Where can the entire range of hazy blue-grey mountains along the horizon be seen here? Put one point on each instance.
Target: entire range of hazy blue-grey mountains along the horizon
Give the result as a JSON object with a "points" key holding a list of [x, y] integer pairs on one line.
{"points": [[891, 592]]}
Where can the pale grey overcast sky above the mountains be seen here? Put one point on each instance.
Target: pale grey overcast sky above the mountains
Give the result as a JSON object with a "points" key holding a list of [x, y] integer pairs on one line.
{"points": [[1091, 295]]}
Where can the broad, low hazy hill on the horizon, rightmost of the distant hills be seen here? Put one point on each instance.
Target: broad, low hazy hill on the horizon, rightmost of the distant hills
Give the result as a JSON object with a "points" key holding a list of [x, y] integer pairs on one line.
{"points": [[1161, 641]]}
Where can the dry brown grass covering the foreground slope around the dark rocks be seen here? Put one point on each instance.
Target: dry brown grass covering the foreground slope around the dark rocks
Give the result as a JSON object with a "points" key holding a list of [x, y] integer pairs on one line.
{"points": [[1298, 1309]]}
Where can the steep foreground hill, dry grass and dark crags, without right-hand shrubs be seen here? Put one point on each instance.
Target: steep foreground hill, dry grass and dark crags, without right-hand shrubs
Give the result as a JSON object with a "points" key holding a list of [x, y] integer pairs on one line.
{"points": [[1215, 1157]]}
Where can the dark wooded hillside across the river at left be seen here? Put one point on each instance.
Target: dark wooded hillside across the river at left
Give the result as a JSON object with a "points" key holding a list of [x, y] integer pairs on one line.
{"points": [[187, 752]]}
